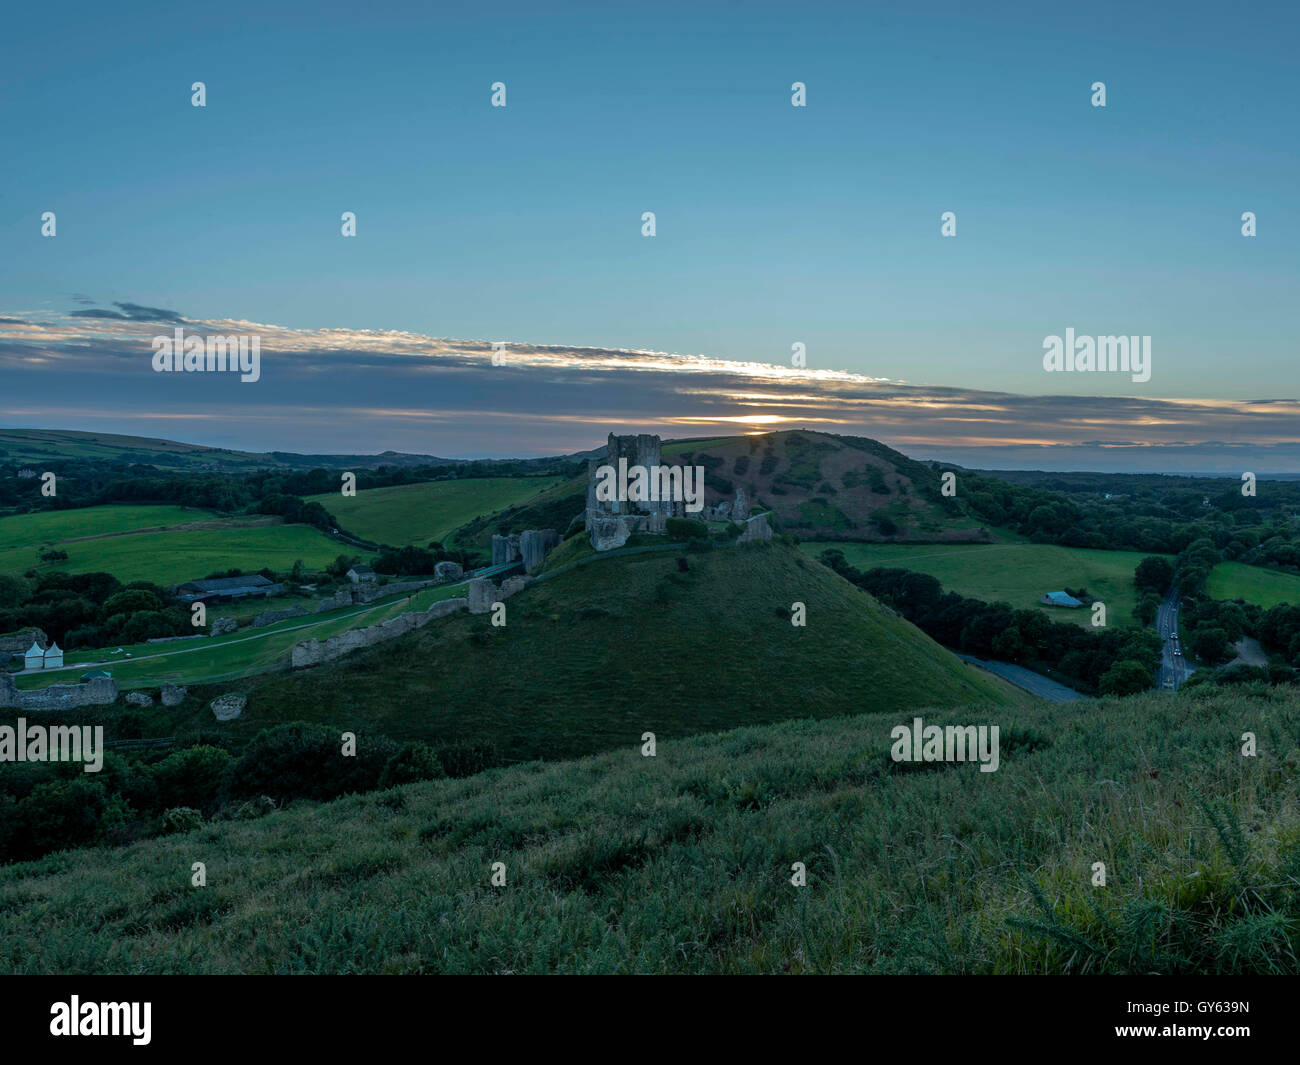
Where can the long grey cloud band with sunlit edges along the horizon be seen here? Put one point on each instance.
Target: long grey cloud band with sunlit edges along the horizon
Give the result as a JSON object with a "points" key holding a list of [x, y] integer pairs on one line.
{"points": [[374, 391]]}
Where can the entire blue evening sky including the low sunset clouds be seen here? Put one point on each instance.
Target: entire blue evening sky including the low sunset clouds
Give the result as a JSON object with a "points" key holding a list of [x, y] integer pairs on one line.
{"points": [[775, 226]]}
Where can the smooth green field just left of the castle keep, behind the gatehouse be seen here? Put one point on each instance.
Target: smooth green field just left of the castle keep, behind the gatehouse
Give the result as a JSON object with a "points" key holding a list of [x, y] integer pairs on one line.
{"points": [[424, 513]]}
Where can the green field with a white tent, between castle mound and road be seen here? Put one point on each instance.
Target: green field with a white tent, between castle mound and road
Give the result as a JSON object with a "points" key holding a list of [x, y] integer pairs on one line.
{"points": [[1016, 574]]}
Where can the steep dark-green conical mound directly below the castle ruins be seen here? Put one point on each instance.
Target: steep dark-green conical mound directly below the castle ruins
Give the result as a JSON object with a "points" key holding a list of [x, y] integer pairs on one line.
{"points": [[600, 655]]}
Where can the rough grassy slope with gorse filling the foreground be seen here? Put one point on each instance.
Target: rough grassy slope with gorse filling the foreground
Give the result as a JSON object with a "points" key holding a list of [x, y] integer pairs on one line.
{"points": [[682, 863]]}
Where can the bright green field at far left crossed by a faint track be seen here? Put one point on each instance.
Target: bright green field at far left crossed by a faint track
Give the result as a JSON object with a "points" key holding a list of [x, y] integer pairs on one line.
{"points": [[161, 544]]}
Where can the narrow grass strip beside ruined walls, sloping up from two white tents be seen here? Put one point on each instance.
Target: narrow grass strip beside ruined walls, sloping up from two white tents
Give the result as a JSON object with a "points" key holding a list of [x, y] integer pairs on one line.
{"points": [[242, 653]]}
